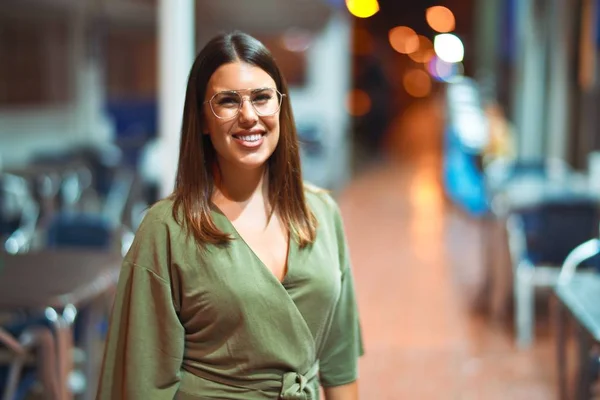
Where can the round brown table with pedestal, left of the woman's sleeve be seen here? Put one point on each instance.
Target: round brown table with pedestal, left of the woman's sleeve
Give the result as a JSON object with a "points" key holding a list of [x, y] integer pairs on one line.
{"points": [[57, 282]]}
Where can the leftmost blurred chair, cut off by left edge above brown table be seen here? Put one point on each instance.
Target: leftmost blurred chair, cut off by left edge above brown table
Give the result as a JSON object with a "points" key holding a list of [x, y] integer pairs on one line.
{"points": [[18, 214]]}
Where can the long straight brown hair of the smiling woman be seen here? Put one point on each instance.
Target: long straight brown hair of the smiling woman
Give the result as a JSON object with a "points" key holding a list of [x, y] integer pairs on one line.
{"points": [[194, 183]]}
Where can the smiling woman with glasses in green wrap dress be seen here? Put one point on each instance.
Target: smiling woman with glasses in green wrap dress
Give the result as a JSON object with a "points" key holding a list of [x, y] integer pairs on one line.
{"points": [[238, 286]]}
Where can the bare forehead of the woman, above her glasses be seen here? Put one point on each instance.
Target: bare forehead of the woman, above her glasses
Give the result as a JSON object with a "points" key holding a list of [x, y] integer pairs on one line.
{"points": [[239, 76]]}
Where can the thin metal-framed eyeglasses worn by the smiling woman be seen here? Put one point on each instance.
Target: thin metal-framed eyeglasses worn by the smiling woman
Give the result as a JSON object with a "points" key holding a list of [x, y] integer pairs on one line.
{"points": [[227, 104]]}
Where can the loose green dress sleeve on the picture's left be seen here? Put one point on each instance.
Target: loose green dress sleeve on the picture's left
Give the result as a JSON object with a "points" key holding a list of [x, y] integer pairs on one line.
{"points": [[145, 342]]}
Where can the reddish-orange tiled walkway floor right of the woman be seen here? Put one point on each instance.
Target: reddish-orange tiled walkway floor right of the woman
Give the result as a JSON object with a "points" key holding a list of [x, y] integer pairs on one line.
{"points": [[418, 267]]}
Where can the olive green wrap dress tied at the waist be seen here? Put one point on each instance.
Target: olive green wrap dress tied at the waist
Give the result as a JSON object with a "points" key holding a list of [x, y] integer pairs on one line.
{"points": [[218, 324]]}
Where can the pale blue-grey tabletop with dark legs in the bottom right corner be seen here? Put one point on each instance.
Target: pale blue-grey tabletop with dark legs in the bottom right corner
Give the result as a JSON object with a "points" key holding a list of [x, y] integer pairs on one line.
{"points": [[580, 299]]}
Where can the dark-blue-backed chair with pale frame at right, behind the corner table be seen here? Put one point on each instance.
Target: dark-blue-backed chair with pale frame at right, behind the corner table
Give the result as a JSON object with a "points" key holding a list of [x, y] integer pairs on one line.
{"points": [[540, 238]]}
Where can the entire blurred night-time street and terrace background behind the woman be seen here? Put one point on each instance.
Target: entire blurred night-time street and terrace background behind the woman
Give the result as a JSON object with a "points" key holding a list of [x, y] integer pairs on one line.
{"points": [[460, 138]]}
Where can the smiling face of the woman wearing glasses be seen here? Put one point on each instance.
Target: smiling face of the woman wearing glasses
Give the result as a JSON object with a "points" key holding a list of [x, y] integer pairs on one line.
{"points": [[247, 139]]}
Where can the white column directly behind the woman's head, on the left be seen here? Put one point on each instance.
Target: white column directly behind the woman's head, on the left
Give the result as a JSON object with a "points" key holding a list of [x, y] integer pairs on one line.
{"points": [[176, 54]]}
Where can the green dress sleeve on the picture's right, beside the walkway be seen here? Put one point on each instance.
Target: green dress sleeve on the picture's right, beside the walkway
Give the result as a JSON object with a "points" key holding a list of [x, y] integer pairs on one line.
{"points": [[338, 362]]}
